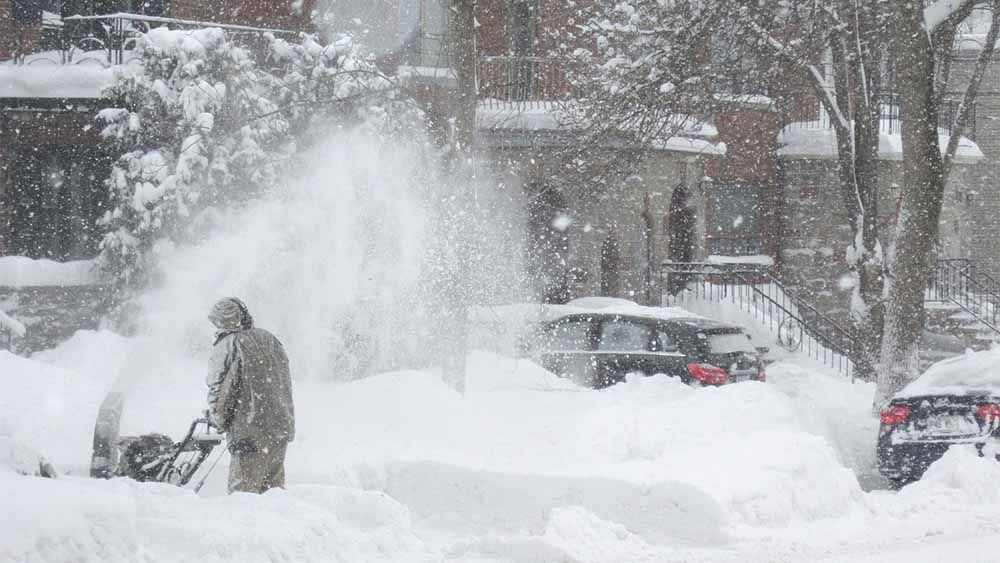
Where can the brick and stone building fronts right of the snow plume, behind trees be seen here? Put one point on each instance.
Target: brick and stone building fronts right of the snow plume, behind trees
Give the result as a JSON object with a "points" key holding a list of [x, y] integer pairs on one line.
{"points": [[763, 172]]}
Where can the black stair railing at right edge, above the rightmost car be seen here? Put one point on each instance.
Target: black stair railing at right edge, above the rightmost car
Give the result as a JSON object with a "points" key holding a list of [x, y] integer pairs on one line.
{"points": [[958, 281]]}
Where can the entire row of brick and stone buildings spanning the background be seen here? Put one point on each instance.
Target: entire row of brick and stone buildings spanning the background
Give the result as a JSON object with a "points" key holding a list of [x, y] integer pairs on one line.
{"points": [[761, 173]]}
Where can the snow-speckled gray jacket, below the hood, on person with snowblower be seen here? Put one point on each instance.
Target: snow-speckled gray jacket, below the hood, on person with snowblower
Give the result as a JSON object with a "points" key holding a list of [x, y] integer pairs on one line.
{"points": [[250, 388]]}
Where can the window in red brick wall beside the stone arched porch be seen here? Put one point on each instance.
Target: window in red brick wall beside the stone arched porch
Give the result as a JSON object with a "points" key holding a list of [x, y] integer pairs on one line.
{"points": [[733, 220]]}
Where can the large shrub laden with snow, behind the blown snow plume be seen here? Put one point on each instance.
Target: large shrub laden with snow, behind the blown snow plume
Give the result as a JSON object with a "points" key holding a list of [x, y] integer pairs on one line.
{"points": [[201, 124]]}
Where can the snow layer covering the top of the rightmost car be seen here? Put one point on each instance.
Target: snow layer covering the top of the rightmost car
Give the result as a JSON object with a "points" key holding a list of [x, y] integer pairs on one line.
{"points": [[971, 373]]}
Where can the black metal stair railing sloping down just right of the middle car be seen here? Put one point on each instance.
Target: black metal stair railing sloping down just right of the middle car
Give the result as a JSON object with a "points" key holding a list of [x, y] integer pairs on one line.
{"points": [[797, 324]]}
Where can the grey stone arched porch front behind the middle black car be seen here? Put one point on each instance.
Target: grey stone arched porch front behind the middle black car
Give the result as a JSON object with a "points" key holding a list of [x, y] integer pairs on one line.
{"points": [[611, 237]]}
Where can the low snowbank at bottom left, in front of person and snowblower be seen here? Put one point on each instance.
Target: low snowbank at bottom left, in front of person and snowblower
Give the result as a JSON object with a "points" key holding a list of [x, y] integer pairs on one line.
{"points": [[76, 519]]}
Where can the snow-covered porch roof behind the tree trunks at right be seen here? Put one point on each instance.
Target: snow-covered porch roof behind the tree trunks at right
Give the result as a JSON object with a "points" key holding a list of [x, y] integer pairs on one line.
{"points": [[805, 141]]}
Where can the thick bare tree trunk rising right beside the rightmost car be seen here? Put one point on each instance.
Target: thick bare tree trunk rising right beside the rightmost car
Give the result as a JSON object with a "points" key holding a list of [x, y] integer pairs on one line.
{"points": [[923, 191]]}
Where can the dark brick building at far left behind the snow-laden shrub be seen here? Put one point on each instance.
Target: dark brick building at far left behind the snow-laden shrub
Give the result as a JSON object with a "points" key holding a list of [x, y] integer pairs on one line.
{"points": [[52, 72]]}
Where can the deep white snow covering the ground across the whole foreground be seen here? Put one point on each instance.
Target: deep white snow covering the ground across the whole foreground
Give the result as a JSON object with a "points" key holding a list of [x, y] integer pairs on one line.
{"points": [[524, 467]]}
